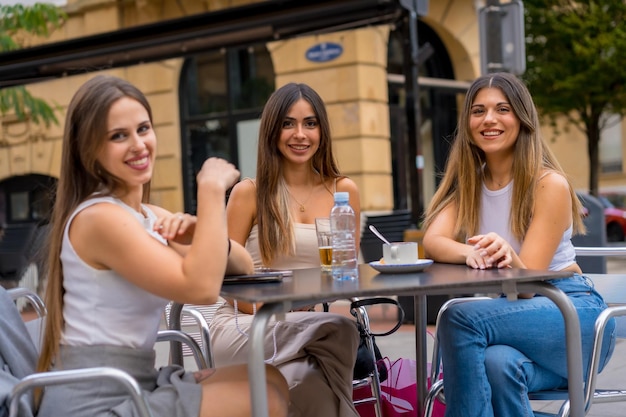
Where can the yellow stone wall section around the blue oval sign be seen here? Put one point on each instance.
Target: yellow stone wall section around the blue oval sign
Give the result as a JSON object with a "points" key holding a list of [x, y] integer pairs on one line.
{"points": [[354, 88]]}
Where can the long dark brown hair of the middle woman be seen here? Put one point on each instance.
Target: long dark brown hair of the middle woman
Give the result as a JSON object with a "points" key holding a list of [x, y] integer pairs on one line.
{"points": [[273, 214]]}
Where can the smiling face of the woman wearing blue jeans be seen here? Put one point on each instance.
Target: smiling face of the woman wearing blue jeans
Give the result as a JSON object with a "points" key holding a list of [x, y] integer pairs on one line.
{"points": [[493, 124]]}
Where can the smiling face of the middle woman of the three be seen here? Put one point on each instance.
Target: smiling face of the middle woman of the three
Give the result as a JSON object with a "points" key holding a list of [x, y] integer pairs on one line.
{"points": [[300, 133]]}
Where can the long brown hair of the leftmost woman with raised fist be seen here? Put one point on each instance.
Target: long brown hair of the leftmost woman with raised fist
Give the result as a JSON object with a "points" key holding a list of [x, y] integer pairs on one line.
{"points": [[81, 176]]}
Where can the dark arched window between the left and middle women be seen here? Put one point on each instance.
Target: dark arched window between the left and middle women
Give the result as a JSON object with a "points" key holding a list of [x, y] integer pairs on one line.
{"points": [[222, 94]]}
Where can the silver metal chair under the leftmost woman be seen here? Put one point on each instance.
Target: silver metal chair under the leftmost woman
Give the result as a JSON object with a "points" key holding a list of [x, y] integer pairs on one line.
{"points": [[42, 379]]}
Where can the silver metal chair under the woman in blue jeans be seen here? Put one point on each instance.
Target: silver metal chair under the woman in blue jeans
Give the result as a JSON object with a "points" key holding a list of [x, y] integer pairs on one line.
{"points": [[592, 394]]}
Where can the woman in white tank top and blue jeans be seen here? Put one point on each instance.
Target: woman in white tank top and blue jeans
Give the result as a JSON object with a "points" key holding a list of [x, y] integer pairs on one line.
{"points": [[505, 202]]}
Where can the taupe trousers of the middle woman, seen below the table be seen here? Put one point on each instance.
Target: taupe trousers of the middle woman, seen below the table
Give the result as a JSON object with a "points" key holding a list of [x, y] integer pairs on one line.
{"points": [[315, 352]]}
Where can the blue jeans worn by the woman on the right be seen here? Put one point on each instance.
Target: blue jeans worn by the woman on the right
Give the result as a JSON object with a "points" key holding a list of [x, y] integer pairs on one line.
{"points": [[496, 351]]}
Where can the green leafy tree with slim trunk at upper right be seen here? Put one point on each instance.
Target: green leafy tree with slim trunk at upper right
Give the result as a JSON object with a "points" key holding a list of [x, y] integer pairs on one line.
{"points": [[576, 56]]}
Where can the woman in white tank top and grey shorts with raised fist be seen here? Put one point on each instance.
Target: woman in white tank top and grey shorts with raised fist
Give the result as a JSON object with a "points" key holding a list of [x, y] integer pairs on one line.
{"points": [[115, 261]]}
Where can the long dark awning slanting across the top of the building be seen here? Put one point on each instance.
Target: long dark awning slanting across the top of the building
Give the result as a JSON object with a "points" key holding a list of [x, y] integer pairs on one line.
{"points": [[256, 23]]}
